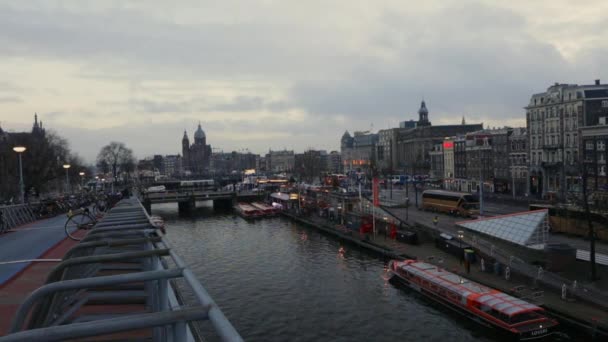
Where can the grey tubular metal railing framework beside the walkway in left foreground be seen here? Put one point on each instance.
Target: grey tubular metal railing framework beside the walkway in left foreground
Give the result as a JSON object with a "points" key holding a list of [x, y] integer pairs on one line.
{"points": [[124, 260]]}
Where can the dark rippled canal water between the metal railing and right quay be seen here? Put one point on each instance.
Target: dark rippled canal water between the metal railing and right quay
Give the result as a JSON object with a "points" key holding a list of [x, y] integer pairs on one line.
{"points": [[276, 280]]}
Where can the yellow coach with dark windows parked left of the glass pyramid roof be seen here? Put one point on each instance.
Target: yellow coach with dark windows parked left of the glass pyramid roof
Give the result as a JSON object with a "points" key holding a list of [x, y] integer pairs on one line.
{"points": [[454, 203]]}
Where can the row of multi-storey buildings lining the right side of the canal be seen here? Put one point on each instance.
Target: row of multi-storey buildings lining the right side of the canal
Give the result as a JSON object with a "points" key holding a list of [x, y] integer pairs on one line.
{"points": [[564, 139]]}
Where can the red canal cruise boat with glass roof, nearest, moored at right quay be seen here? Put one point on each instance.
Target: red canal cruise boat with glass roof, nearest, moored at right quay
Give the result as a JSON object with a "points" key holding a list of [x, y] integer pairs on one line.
{"points": [[492, 308]]}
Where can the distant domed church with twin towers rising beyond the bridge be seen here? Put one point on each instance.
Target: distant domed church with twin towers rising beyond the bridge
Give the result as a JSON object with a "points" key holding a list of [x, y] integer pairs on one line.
{"points": [[196, 157]]}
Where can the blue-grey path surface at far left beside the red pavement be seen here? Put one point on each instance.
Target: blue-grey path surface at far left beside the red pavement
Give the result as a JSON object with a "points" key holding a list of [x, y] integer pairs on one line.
{"points": [[29, 241]]}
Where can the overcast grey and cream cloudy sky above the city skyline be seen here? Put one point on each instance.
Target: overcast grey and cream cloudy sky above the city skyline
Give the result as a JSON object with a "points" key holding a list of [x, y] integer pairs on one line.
{"points": [[283, 74]]}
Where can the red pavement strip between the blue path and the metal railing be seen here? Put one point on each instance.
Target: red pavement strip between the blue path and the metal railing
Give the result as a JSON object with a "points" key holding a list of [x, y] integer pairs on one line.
{"points": [[14, 291]]}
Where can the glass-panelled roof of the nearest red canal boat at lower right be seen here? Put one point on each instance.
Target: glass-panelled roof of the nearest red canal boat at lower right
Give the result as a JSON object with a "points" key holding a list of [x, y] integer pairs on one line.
{"points": [[485, 296]]}
